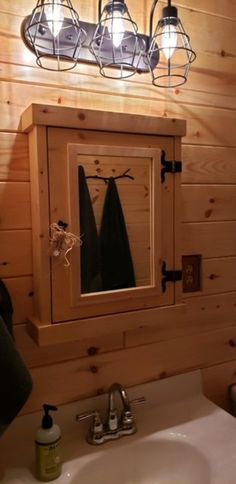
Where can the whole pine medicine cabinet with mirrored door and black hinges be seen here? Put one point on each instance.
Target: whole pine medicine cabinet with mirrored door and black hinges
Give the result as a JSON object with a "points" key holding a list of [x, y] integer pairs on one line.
{"points": [[78, 159]]}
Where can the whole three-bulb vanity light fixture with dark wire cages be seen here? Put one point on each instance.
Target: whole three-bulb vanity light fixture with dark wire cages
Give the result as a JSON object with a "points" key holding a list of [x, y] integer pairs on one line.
{"points": [[54, 31]]}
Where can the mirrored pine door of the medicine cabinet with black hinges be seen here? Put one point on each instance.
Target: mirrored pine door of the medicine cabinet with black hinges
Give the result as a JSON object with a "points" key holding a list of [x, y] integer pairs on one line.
{"points": [[147, 206]]}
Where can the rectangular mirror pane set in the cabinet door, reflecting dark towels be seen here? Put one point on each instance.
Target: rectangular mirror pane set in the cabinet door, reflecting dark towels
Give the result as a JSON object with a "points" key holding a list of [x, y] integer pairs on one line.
{"points": [[115, 221]]}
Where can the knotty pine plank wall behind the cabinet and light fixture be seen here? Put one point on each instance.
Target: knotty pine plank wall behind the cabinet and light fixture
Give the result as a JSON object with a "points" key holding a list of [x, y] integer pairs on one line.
{"points": [[205, 337]]}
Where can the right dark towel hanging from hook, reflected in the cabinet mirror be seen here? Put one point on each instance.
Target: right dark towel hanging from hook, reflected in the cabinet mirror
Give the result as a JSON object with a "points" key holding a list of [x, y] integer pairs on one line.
{"points": [[117, 265]]}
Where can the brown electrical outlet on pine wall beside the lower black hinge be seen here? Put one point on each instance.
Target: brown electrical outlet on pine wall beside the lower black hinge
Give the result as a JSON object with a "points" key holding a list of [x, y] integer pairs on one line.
{"points": [[191, 265]]}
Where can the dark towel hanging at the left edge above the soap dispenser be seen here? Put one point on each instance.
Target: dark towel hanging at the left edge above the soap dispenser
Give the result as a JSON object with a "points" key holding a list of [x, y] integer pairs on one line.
{"points": [[15, 380]]}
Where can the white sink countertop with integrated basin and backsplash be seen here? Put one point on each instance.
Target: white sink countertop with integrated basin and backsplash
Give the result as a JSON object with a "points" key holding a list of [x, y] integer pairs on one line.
{"points": [[182, 438]]}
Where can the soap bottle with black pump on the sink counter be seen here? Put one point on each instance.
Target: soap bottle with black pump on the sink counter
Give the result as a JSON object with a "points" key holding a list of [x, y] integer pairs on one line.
{"points": [[47, 447]]}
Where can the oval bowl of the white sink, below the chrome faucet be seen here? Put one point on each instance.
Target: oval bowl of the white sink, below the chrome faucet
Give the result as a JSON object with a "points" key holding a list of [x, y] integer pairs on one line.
{"points": [[162, 461]]}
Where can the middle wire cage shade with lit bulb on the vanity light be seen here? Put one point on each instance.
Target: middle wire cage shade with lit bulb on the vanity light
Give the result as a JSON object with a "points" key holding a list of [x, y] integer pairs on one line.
{"points": [[116, 42]]}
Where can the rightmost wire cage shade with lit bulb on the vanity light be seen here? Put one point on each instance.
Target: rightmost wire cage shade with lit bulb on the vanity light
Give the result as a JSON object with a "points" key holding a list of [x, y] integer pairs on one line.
{"points": [[175, 52]]}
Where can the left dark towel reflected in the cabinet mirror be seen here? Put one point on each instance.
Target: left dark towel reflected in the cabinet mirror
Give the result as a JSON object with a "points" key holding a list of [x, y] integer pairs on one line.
{"points": [[89, 251]]}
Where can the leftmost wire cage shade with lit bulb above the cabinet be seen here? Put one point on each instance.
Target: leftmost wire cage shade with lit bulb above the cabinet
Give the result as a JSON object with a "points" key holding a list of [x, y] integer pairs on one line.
{"points": [[53, 32]]}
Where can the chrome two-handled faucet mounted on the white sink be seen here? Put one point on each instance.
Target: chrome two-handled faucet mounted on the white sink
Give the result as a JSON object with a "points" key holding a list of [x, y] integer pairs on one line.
{"points": [[117, 424]]}
